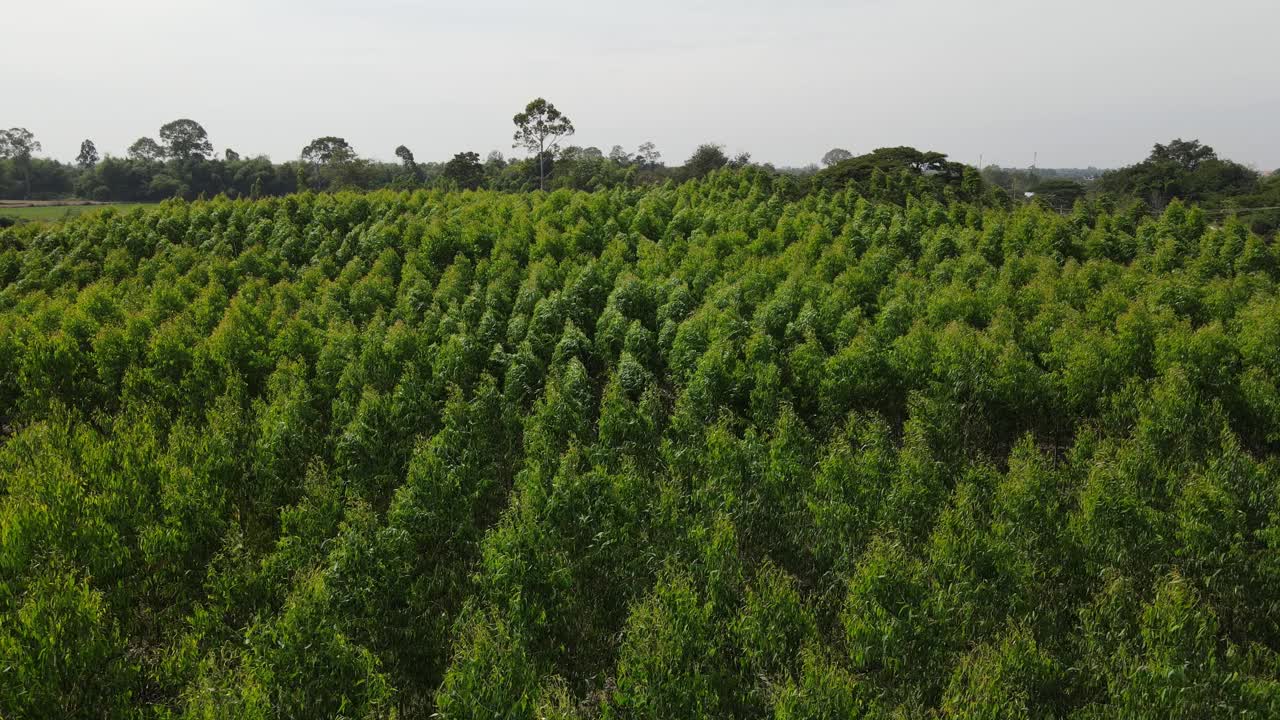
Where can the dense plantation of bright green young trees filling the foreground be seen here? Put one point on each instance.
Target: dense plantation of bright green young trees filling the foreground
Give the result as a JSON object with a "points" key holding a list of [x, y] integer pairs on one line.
{"points": [[710, 450]]}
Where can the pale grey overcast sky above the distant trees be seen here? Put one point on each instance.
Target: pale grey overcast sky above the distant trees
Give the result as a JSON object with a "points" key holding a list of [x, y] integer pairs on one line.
{"points": [[1075, 84]]}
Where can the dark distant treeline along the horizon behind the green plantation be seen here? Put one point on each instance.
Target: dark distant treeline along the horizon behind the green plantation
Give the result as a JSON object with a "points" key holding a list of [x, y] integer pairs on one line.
{"points": [[184, 165]]}
